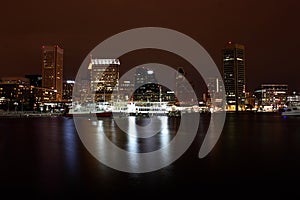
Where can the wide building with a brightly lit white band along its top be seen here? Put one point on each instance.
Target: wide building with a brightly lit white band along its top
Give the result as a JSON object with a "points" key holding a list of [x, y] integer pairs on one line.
{"points": [[104, 76]]}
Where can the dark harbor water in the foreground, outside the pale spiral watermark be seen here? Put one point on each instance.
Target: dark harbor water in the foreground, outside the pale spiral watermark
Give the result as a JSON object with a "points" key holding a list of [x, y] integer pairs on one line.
{"points": [[257, 154]]}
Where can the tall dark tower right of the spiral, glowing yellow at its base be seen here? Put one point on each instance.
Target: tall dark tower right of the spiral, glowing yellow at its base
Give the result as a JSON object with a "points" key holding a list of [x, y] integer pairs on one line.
{"points": [[234, 75]]}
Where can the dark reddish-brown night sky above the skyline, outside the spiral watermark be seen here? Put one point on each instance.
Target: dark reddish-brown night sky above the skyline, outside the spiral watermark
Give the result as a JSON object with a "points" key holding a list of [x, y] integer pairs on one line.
{"points": [[269, 29]]}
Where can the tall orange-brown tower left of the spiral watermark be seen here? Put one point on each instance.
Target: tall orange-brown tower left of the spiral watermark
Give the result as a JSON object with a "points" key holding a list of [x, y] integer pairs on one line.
{"points": [[52, 69]]}
